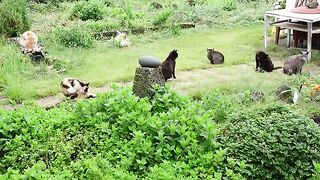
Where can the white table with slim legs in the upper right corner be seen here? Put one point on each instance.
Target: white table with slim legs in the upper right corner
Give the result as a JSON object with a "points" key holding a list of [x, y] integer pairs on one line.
{"points": [[309, 19]]}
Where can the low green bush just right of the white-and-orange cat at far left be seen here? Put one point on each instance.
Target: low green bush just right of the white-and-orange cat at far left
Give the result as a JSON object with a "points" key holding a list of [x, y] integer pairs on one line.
{"points": [[75, 37]]}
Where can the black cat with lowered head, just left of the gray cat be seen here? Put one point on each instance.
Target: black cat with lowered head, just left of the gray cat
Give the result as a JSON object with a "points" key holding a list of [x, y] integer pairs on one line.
{"points": [[263, 61]]}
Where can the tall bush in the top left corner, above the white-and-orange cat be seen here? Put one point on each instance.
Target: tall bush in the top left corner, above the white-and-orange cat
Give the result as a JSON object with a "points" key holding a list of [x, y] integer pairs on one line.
{"points": [[13, 17]]}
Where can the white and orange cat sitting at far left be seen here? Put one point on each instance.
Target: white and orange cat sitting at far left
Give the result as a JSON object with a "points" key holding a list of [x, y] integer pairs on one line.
{"points": [[28, 42]]}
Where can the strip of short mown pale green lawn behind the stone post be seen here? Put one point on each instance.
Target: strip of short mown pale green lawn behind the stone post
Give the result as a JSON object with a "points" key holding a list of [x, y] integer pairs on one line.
{"points": [[104, 65]]}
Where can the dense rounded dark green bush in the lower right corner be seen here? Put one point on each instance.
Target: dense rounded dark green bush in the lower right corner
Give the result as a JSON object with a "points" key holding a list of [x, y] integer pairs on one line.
{"points": [[275, 140]]}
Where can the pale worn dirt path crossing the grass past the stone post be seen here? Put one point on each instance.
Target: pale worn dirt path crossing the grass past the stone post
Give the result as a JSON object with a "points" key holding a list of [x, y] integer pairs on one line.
{"points": [[193, 81]]}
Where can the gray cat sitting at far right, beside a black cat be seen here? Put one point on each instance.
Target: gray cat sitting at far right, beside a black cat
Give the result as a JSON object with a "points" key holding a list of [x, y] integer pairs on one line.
{"points": [[293, 65]]}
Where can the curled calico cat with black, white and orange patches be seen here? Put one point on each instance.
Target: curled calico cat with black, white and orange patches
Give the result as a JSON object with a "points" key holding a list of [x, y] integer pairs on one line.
{"points": [[75, 88]]}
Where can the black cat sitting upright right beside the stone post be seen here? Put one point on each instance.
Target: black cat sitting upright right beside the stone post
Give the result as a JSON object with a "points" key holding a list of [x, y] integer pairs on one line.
{"points": [[169, 65]]}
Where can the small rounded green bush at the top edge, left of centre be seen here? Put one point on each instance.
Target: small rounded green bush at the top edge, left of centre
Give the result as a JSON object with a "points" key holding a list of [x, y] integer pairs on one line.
{"points": [[87, 10]]}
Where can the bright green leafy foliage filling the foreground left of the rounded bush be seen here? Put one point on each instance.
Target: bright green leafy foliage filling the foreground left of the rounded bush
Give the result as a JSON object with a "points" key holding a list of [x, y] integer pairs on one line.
{"points": [[115, 135]]}
